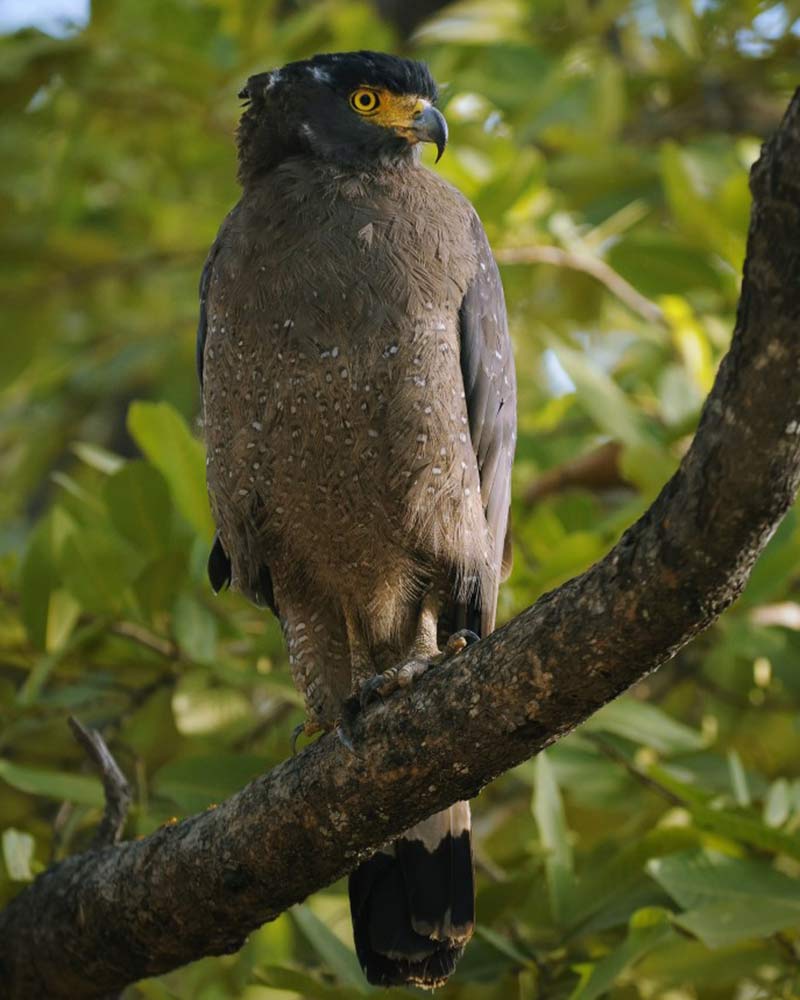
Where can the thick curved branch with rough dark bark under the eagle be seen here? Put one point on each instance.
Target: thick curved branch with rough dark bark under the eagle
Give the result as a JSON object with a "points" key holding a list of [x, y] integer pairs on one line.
{"points": [[106, 918]]}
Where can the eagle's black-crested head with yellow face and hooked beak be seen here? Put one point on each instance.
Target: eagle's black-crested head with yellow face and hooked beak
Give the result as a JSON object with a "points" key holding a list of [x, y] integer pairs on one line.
{"points": [[353, 108]]}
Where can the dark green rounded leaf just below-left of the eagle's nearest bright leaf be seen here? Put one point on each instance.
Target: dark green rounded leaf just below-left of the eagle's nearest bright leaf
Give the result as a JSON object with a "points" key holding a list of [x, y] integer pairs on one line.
{"points": [[139, 505]]}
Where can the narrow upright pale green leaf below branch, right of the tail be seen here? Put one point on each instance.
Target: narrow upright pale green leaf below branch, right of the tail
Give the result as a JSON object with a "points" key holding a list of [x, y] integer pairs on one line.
{"points": [[548, 809]]}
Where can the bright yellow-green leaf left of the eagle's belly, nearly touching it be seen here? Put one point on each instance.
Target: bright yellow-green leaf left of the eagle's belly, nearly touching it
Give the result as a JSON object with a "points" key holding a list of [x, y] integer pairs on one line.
{"points": [[162, 434]]}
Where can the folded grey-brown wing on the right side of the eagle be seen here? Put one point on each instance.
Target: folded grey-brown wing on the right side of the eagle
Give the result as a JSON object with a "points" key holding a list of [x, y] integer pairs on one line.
{"points": [[487, 366]]}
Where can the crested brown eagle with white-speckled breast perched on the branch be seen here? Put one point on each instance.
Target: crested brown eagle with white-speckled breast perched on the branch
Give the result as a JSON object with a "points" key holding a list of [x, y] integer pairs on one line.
{"points": [[359, 413]]}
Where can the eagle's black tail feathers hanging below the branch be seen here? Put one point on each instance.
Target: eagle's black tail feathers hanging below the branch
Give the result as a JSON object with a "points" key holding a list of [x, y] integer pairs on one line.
{"points": [[413, 903]]}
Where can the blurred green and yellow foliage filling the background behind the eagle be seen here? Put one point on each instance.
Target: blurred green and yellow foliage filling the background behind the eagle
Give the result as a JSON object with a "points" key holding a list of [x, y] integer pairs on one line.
{"points": [[655, 852]]}
